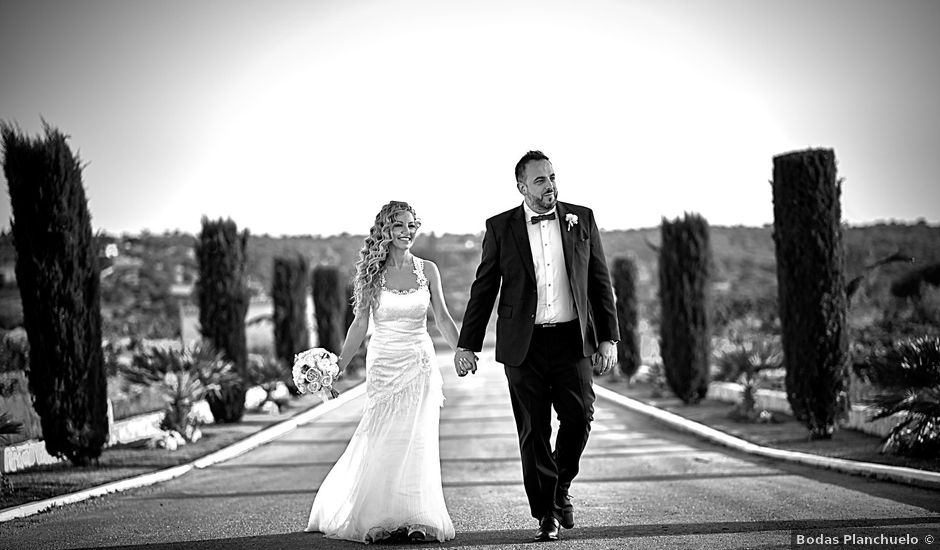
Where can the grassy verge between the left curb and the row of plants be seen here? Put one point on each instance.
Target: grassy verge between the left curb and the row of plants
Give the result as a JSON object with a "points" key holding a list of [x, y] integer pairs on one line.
{"points": [[124, 461]]}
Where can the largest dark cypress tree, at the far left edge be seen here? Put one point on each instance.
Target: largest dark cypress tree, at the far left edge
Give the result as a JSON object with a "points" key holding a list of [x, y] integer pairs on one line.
{"points": [[58, 276]]}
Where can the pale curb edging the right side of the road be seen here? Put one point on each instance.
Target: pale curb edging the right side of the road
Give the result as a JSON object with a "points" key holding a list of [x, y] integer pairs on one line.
{"points": [[909, 476]]}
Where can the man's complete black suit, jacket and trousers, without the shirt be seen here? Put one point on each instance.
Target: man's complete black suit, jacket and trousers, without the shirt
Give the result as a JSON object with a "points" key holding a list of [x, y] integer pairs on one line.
{"points": [[545, 365]]}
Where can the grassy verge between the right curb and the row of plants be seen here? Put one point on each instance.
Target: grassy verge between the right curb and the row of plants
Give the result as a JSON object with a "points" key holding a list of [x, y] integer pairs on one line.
{"points": [[787, 433]]}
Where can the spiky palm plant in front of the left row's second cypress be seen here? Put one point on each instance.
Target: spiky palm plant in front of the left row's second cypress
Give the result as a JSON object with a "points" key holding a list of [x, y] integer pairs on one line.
{"points": [[184, 377]]}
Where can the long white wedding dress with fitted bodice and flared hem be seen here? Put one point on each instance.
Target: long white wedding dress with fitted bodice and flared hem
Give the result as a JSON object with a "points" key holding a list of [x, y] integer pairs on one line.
{"points": [[388, 480]]}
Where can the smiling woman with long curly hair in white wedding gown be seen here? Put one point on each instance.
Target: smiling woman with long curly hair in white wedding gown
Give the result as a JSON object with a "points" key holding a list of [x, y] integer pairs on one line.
{"points": [[388, 480]]}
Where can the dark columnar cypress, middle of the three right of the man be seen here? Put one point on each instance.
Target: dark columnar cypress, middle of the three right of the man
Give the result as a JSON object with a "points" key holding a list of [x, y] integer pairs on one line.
{"points": [[684, 270]]}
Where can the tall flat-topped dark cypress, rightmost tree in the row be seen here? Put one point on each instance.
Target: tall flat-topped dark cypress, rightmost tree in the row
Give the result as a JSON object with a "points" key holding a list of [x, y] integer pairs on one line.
{"points": [[811, 286]]}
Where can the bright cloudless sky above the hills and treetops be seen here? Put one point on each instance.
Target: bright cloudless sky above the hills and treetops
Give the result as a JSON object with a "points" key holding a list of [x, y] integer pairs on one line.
{"points": [[306, 117]]}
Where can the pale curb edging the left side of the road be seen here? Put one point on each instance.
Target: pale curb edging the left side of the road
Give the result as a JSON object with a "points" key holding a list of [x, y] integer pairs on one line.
{"points": [[226, 453]]}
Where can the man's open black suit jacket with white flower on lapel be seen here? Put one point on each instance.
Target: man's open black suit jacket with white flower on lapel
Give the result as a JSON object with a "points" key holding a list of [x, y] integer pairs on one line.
{"points": [[507, 268]]}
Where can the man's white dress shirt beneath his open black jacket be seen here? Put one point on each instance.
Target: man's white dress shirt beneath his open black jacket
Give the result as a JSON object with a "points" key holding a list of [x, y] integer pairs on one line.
{"points": [[556, 304]]}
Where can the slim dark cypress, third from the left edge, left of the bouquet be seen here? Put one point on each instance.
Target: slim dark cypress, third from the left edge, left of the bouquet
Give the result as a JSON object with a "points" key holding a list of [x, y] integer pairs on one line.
{"points": [[289, 292]]}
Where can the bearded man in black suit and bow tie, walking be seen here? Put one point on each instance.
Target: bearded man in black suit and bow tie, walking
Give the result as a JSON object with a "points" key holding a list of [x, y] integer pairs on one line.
{"points": [[556, 319]]}
